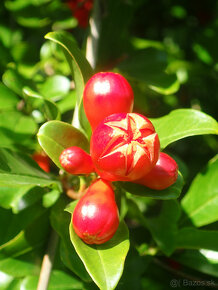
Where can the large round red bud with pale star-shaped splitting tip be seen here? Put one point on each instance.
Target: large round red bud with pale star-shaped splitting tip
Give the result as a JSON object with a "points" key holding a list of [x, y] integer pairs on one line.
{"points": [[124, 147]]}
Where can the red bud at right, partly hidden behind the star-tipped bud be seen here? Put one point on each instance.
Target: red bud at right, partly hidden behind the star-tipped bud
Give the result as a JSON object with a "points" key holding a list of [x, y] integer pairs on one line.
{"points": [[163, 174]]}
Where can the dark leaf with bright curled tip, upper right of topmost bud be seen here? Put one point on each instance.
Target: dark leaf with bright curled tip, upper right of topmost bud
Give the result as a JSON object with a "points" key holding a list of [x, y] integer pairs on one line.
{"points": [[149, 66]]}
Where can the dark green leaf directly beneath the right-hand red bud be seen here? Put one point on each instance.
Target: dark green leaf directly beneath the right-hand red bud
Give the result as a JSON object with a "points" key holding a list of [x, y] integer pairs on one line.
{"points": [[171, 192]]}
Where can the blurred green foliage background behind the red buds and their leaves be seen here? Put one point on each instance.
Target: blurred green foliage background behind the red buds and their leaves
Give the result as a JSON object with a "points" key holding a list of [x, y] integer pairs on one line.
{"points": [[168, 50]]}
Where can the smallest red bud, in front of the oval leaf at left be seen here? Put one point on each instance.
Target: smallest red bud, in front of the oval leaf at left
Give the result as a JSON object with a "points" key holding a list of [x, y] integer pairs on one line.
{"points": [[76, 161]]}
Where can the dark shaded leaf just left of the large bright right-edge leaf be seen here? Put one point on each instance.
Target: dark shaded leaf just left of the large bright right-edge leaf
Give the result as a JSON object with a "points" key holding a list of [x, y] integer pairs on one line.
{"points": [[164, 227]]}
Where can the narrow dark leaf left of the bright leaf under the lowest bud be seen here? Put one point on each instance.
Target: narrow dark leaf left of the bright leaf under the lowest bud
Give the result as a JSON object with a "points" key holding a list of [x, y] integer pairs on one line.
{"points": [[60, 222]]}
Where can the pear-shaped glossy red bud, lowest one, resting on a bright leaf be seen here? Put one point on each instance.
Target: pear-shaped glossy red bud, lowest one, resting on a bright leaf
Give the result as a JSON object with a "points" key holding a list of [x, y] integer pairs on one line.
{"points": [[95, 217]]}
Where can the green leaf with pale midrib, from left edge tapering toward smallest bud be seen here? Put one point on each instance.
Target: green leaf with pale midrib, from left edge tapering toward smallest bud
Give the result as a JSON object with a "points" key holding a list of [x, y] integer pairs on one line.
{"points": [[18, 169]]}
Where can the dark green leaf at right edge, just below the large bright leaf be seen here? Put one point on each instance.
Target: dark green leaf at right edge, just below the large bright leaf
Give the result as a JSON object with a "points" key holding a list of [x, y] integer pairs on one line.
{"points": [[192, 238]]}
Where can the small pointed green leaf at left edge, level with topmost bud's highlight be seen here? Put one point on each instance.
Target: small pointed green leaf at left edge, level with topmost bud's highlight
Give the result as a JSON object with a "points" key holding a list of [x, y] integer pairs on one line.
{"points": [[8, 100]]}
